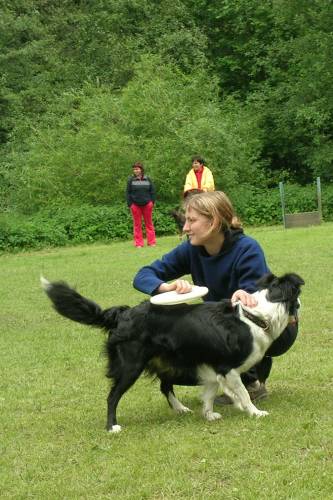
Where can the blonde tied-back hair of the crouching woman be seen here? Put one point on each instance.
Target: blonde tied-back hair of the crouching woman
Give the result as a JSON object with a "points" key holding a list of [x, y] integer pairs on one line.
{"points": [[214, 205]]}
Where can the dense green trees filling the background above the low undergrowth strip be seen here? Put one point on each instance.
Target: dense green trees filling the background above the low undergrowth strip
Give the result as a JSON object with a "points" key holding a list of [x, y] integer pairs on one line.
{"points": [[89, 87]]}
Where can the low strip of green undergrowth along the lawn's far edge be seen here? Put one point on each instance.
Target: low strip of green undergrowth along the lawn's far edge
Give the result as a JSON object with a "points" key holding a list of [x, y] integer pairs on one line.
{"points": [[64, 225]]}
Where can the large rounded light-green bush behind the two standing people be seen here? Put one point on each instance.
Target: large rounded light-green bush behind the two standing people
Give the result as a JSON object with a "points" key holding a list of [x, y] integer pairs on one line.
{"points": [[161, 117]]}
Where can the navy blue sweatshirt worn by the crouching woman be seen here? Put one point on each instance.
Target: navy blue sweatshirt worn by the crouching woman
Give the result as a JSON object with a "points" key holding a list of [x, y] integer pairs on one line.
{"points": [[240, 263]]}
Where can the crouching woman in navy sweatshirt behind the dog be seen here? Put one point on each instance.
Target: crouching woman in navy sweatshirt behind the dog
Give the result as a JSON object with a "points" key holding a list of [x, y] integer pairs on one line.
{"points": [[221, 257]]}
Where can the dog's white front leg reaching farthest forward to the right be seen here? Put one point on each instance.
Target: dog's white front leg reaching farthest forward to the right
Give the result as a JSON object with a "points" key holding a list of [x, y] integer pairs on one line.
{"points": [[235, 389]]}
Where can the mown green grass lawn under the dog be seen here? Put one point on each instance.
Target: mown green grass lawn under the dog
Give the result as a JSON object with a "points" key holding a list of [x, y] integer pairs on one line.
{"points": [[53, 391]]}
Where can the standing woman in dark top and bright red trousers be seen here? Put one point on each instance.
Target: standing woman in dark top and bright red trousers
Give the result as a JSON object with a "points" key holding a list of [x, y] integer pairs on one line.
{"points": [[140, 195]]}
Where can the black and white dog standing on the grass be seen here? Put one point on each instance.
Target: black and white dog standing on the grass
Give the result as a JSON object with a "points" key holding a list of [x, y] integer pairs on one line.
{"points": [[208, 344]]}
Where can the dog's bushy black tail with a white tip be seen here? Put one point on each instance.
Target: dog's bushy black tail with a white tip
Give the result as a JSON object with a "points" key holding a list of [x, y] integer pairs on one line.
{"points": [[70, 304]]}
